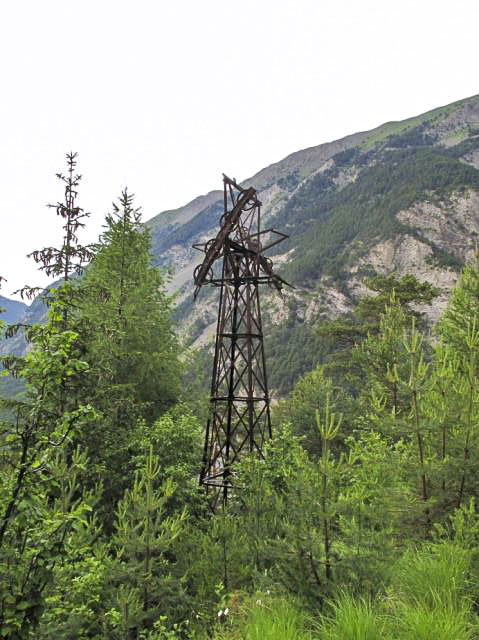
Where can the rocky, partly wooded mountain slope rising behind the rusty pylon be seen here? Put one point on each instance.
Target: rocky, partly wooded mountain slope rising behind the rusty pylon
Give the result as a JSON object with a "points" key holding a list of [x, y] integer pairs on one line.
{"points": [[401, 198]]}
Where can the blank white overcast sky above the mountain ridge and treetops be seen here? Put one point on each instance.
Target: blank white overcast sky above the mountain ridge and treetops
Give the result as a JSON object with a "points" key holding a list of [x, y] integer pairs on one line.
{"points": [[163, 97]]}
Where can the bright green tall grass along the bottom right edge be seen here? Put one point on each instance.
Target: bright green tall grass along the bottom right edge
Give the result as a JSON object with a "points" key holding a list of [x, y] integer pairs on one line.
{"points": [[430, 596]]}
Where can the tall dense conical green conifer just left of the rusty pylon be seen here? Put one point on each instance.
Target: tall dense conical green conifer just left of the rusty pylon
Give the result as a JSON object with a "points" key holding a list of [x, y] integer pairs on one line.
{"points": [[130, 346]]}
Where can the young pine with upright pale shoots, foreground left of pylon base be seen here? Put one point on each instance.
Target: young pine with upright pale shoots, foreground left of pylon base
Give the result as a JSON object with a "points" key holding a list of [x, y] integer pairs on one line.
{"points": [[143, 541]]}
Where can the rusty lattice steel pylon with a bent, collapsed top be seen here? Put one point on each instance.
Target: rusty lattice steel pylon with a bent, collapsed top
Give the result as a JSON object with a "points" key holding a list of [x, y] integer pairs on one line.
{"points": [[239, 420]]}
